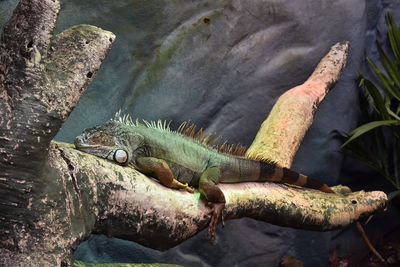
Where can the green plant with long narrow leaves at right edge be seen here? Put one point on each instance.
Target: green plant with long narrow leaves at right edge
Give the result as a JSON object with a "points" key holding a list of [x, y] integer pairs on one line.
{"points": [[379, 145]]}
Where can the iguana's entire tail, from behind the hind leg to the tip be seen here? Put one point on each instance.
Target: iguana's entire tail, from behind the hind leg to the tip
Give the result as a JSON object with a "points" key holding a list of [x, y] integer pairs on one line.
{"points": [[248, 170]]}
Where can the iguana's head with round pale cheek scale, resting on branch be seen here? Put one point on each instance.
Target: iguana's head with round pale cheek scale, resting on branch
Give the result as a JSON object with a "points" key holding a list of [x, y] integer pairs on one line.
{"points": [[113, 140]]}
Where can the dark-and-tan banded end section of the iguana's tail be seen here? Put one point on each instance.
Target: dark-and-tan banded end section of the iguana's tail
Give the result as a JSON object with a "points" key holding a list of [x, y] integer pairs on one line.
{"points": [[274, 173]]}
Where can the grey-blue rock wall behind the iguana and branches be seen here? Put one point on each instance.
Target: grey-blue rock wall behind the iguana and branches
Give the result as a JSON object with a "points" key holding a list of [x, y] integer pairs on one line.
{"points": [[222, 65]]}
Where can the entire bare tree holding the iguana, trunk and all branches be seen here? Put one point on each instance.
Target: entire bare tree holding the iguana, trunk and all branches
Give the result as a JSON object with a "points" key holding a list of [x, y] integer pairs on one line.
{"points": [[53, 196]]}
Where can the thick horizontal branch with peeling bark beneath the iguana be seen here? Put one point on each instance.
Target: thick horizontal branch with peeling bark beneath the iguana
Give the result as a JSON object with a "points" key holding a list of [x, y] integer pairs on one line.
{"points": [[130, 205]]}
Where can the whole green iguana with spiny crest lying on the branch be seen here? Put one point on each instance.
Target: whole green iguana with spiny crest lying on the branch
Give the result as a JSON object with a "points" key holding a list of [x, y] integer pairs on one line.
{"points": [[182, 159]]}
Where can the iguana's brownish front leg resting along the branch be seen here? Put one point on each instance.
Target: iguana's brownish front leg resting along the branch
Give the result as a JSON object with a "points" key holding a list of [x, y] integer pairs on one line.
{"points": [[159, 169]]}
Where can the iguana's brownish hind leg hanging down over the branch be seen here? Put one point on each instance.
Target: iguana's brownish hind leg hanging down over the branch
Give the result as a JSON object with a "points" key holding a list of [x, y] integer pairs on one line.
{"points": [[209, 189]]}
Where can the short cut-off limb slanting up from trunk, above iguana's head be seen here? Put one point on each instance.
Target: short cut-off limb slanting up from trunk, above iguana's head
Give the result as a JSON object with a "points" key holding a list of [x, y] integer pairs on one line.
{"points": [[74, 58]]}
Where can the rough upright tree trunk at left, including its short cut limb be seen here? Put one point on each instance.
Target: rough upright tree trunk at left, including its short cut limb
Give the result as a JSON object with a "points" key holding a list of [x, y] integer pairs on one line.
{"points": [[41, 80]]}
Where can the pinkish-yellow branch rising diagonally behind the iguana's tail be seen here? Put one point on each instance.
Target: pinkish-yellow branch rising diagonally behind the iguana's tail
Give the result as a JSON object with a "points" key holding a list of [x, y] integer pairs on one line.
{"points": [[281, 133]]}
